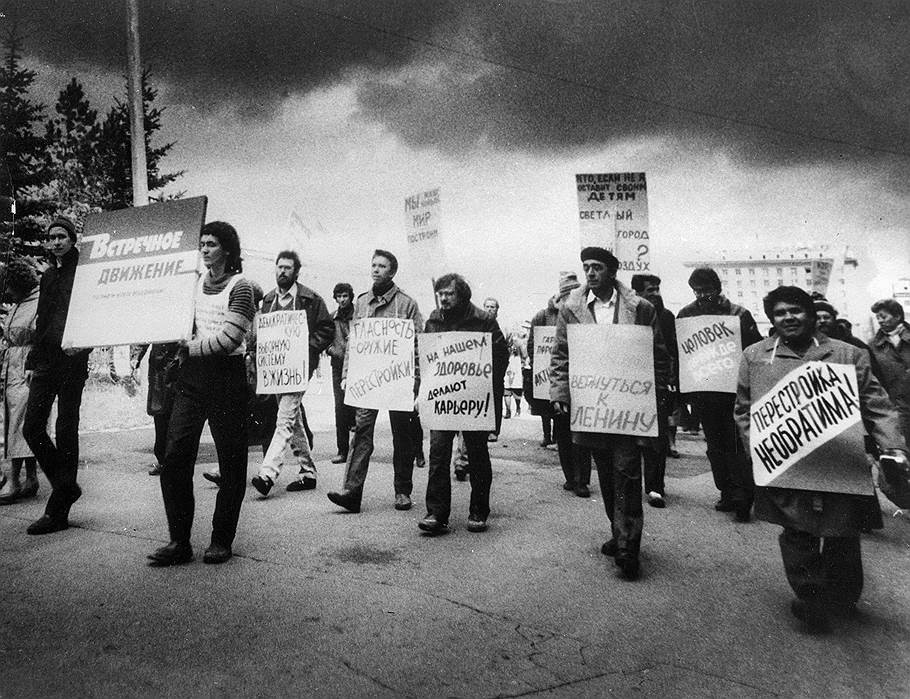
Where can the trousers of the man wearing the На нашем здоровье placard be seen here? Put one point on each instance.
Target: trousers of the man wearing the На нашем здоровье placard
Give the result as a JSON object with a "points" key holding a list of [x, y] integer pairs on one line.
{"points": [[439, 481]]}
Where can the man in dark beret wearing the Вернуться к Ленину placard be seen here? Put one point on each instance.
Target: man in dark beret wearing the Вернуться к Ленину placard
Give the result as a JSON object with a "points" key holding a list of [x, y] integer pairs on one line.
{"points": [[605, 300]]}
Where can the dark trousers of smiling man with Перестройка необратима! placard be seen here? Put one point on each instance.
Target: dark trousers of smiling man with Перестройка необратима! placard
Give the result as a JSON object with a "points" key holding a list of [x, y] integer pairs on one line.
{"points": [[828, 570]]}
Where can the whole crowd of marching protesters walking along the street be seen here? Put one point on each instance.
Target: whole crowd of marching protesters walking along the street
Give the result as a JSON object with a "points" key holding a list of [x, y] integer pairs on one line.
{"points": [[209, 377]]}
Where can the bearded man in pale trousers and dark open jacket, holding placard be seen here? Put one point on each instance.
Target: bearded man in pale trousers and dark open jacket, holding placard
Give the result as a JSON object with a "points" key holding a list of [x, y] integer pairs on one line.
{"points": [[289, 440]]}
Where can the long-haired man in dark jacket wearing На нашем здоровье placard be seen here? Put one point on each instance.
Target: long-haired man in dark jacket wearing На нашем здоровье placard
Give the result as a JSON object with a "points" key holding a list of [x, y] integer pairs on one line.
{"points": [[457, 313]]}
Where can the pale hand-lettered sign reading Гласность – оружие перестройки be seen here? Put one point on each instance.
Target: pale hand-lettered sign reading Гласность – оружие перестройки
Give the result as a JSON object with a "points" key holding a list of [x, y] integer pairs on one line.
{"points": [[381, 364]]}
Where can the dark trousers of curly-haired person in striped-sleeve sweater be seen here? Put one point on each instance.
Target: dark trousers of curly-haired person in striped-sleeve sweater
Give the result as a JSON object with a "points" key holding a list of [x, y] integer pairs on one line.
{"points": [[213, 389]]}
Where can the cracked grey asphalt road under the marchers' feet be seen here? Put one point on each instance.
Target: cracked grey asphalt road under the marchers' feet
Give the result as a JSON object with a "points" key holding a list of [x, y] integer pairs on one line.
{"points": [[317, 602]]}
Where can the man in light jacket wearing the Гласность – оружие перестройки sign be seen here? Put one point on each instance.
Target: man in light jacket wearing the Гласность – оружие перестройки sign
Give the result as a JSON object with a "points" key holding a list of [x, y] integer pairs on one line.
{"points": [[384, 300]]}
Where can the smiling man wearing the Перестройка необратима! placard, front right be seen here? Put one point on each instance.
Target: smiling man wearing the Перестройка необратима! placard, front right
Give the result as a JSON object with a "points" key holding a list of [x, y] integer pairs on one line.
{"points": [[819, 544]]}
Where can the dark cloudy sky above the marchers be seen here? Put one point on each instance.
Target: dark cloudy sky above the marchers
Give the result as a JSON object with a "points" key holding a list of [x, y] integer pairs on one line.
{"points": [[773, 118]]}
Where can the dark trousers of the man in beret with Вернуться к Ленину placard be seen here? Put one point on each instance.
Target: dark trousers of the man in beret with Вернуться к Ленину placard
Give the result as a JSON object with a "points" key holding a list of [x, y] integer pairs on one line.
{"points": [[619, 473]]}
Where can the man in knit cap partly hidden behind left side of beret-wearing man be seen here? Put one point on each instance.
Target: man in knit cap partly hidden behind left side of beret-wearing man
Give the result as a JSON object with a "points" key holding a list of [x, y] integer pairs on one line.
{"points": [[574, 459]]}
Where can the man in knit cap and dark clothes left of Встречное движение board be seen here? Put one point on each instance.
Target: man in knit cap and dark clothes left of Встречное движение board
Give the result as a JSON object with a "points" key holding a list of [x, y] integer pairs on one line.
{"points": [[60, 374]]}
